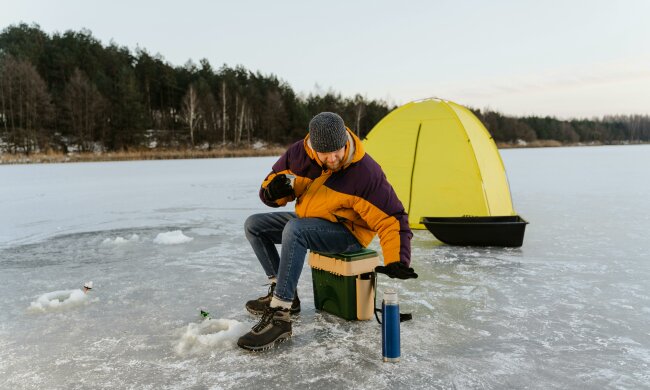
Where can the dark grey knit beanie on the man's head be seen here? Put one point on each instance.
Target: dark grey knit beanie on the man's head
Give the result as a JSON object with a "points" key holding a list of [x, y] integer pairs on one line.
{"points": [[327, 132]]}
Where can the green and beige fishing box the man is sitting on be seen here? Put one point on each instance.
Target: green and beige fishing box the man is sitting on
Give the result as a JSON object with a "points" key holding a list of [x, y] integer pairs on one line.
{"points": [[343, 283]]}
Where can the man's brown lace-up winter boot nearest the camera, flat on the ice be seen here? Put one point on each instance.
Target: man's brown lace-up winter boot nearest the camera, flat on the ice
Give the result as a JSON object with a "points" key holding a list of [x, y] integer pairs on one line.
{"points": [[274, 328]]}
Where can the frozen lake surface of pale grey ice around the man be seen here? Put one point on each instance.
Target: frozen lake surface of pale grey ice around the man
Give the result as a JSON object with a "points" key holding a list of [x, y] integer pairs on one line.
{"points": [[161, 239]]}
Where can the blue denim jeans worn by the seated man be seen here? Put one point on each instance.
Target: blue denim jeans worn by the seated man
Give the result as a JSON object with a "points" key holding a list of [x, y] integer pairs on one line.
{"points": [[296, 235]]}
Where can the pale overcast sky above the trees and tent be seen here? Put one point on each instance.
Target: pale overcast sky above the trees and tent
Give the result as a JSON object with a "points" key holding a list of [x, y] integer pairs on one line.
{"points": [[569, 59]]}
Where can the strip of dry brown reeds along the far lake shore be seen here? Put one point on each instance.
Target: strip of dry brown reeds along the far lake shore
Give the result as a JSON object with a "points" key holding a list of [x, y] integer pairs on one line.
{"points": [[181, 154]]}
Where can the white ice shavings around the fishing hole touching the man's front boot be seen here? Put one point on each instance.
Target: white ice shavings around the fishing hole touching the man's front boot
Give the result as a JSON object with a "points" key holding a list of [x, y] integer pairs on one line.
{"points": [[209, 335]]}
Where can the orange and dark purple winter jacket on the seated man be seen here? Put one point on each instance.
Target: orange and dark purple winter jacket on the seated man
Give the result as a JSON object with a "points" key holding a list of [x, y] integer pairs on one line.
{"points": [[356, 195]]}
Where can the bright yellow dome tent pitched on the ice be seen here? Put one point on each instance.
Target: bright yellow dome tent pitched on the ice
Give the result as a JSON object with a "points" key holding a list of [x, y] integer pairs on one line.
{"points": [[442, 162]]}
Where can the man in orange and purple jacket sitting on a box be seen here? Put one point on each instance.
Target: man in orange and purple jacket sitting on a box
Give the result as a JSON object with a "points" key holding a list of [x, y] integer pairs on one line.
{"points": [[342, 201]]}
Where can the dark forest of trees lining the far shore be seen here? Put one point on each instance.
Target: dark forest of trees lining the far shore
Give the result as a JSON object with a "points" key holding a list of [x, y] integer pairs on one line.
{"points": [[68, 91]]}
